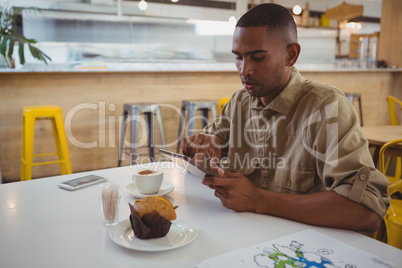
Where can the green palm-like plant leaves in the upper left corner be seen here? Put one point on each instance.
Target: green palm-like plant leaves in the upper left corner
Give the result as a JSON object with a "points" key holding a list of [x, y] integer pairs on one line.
{"points": [[9, 36]]}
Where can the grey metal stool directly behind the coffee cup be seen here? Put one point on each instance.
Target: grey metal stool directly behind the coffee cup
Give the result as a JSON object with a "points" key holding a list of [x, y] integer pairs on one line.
{"points": [[135, 110]]}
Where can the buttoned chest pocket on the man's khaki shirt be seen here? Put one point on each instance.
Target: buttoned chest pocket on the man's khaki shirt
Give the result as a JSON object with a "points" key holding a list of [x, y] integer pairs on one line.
{"points": [[294, 179]]}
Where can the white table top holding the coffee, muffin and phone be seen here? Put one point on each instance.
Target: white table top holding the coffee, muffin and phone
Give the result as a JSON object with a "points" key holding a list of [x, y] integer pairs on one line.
{"points": [[42, 225]]}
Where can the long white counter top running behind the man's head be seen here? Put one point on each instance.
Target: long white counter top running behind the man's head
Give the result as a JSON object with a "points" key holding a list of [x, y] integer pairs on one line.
{"points": [[173, 67]]}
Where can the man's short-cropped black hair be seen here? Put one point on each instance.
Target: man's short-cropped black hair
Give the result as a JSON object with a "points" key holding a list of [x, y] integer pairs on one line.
{"points": [[275, 17]]}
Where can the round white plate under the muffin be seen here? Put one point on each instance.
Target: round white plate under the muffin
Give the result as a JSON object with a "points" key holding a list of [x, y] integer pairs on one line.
{"points": [[181, 233]]}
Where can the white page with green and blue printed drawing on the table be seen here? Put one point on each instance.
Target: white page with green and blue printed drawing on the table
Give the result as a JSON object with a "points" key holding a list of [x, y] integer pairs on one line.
{"points": [[305, 249]]}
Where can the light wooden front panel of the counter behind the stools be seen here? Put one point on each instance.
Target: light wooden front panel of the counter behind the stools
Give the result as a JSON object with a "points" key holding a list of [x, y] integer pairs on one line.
{"points": [[92, 104]]}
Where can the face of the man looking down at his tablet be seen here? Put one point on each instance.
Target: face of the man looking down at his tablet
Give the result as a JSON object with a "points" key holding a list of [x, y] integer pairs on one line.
{"points": [[260, 61]]}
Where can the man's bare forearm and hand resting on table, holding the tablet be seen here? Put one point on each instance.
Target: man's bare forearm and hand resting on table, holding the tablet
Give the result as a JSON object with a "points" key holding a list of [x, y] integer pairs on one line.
{"points": [[327, 208]]}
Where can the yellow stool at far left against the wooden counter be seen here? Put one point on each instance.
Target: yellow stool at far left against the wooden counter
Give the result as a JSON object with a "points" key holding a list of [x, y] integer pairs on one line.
{"points": [[46, 112]]}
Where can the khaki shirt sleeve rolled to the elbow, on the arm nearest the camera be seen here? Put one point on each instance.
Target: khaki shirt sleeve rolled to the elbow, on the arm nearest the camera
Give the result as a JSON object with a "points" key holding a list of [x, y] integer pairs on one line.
{"points": [[354, 176]]}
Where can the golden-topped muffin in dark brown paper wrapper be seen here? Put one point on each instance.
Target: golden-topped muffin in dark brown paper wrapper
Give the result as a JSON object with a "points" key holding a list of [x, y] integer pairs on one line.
{"points": [[151, 217]]}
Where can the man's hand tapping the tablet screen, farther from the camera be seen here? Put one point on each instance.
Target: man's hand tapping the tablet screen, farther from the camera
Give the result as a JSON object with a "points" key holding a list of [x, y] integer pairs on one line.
{"points": [[200, 146]]}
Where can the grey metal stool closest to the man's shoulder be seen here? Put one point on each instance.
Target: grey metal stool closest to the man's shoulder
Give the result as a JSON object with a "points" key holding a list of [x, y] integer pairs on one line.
{"points": [[192, 106]]}
